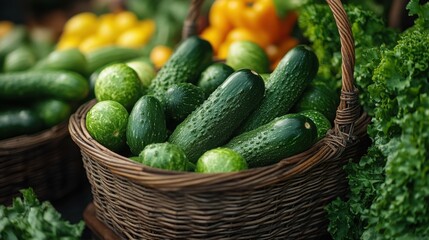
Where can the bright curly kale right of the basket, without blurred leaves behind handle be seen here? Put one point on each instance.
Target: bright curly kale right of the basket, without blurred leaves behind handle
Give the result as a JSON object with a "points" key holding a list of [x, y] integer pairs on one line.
{"points": [[389, 197]]}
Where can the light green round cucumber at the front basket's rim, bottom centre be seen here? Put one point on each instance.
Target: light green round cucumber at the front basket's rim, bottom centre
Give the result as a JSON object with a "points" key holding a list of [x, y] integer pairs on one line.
{"points": [[220, 160]]}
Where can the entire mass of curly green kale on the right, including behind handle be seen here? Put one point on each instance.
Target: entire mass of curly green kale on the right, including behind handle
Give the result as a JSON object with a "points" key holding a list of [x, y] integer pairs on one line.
{"points": [[388, 196]]}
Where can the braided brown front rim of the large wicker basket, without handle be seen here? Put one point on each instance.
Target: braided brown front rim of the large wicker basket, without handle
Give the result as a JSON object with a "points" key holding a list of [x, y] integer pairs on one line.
{"points": [[191, 181]]}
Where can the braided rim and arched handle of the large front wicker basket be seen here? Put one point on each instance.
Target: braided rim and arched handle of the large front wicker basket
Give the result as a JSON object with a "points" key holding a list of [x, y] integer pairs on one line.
{"points": [[349, 126]]}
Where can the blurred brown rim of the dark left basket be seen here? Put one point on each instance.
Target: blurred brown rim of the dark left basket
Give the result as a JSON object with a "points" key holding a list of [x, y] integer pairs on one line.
{"points": [[58, 131]]}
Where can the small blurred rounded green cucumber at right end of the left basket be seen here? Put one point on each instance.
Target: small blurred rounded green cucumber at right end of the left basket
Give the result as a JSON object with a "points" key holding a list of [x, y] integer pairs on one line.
{"points": [[52, 111]]}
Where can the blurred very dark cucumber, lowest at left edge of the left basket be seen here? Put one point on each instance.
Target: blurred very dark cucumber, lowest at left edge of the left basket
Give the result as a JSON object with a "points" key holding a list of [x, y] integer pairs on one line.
{"points": [[17, 121]]}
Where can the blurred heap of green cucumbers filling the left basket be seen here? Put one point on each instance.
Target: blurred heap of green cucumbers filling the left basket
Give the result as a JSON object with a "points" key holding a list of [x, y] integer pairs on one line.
{"points": [[38, 91]]}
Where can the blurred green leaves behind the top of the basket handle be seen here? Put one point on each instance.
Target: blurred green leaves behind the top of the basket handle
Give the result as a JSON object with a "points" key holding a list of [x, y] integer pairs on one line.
{"points": [[318, 26]]}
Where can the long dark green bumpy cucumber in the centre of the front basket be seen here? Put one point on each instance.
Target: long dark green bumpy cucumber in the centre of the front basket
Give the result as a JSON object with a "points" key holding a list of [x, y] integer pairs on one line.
{"points": [[213, 122]]}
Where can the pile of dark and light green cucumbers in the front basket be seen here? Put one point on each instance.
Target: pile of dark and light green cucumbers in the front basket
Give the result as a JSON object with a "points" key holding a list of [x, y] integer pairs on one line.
{"points": [[201, 115]]}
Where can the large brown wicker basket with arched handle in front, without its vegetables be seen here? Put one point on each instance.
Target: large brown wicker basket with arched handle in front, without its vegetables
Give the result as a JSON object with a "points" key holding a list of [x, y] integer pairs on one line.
{"points": [[282, 201]]}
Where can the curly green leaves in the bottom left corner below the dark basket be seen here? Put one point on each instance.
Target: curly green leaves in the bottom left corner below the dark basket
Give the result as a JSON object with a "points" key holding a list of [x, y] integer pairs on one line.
{"points": [[28, 218]]}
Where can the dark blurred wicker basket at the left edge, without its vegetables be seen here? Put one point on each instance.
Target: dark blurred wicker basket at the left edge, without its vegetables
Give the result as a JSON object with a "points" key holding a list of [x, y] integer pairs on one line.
{"points": [[48, 161]]}
